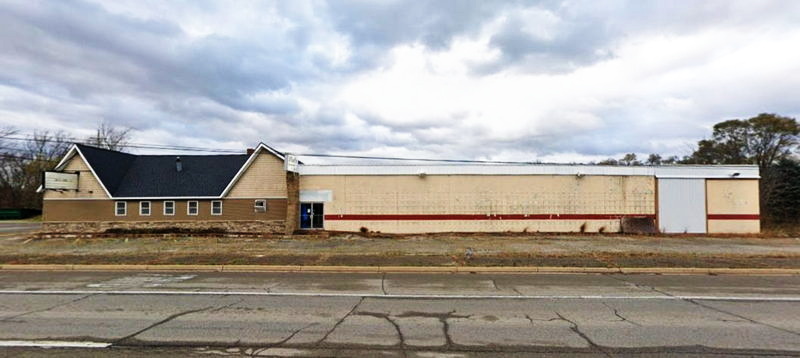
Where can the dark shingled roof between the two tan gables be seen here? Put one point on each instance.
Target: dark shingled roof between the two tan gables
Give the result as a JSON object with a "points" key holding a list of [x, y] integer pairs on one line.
{"points": [[129, 175]]}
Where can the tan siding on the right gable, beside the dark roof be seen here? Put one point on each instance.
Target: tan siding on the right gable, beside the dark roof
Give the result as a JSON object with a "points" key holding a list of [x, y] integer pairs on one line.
{"points": [[264, 178]]}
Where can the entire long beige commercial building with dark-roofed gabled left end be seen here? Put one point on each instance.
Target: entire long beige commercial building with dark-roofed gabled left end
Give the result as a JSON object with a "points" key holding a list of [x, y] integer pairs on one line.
{"points": [[259, 191]]}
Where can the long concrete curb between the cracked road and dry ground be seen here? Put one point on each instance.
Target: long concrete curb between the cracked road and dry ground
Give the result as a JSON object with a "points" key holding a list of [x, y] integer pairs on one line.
{"points": [[407, 269]]}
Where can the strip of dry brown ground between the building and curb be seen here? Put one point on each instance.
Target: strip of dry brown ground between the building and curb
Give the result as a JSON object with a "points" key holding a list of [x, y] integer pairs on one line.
{"points": [[415, 250]]}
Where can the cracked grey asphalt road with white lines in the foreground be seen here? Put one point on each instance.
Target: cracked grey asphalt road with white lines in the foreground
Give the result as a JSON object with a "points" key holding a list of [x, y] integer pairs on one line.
{"points": [[413, 315]]}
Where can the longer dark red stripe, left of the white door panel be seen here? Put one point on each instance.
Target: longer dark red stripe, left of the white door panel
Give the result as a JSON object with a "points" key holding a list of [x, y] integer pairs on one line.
{"points": [[368, 217]]}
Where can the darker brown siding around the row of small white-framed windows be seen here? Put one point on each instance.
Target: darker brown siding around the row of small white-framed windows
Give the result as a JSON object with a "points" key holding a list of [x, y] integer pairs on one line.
{"points": [[103, 210]]}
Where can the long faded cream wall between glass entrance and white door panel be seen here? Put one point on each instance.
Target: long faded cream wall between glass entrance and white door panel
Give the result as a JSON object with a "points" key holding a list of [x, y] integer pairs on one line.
{"points": [[482, 194]]}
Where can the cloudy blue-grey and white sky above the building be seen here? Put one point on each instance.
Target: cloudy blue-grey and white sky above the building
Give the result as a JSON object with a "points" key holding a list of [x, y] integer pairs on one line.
{"points": [[519, 80]]}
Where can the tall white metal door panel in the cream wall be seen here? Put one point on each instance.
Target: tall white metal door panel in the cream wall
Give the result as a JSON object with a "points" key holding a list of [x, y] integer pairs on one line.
{"points": [[682, 205]]}
